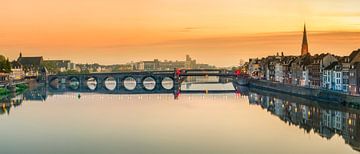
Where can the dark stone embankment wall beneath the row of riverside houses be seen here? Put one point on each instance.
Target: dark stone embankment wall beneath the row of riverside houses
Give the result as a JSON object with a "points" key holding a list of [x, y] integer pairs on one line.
{"points": [[308, 93]]}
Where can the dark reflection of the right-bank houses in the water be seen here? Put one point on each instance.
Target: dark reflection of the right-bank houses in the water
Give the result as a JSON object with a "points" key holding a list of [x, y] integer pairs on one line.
{"points": [[322, 120]]}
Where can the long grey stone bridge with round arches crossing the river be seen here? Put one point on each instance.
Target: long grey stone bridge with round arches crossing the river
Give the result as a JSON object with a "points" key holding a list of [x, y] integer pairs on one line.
{"points": [[140, 82]]}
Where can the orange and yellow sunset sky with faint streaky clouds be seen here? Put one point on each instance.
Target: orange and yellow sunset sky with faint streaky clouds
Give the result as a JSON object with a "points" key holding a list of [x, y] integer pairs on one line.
{"points": [[211, 31]]}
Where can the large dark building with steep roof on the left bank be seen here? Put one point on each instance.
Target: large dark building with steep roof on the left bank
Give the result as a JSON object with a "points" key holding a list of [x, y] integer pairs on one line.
{"points": [[31, 65]]}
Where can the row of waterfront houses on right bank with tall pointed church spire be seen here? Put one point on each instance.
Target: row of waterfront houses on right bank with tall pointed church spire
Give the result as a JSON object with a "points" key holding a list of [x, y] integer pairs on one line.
{"points": [[326, 71]]}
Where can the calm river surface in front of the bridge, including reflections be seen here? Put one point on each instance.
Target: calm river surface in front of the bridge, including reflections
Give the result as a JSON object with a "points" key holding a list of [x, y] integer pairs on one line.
{"points": [[254, 122]]}
